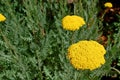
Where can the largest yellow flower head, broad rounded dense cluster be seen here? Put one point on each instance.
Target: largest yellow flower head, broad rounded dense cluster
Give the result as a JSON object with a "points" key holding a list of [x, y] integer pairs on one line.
{"points": [[86, 55]]}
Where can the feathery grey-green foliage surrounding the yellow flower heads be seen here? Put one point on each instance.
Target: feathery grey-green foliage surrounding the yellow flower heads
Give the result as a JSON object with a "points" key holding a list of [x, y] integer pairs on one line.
{"points": [[33, 44]]}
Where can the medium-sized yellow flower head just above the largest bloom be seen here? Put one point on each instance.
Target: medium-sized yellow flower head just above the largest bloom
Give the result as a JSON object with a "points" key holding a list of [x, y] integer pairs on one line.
{"points": [[72, 22]]}
